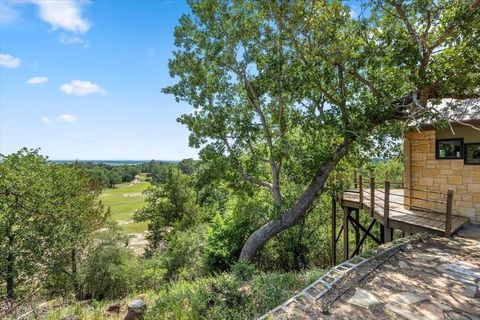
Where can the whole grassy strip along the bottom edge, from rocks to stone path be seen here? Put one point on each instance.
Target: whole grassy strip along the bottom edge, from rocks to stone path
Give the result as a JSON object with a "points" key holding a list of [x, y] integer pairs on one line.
{"points": [[214, 298]]}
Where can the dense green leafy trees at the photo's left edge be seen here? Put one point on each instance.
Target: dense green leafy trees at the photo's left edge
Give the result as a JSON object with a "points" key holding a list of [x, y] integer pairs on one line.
{"points": [[56, 206]]}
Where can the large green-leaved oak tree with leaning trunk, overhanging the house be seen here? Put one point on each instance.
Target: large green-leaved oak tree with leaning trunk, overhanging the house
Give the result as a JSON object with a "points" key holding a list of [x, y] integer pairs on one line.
{"points": [[284, 90]]}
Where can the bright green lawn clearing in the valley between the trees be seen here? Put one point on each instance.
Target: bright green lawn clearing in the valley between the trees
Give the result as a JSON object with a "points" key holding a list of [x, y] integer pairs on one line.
{"points": [[123, 201]]}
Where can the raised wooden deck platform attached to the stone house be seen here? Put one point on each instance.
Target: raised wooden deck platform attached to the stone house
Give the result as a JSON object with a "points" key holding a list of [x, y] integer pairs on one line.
{"points": [[408, 220]]}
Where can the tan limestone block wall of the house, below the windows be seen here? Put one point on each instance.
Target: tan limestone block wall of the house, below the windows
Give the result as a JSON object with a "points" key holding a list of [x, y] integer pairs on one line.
{"points": [[424, 172]]}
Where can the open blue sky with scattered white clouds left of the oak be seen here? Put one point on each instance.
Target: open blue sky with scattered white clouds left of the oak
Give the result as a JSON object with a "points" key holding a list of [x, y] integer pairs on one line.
{"points": [[82, 79]]}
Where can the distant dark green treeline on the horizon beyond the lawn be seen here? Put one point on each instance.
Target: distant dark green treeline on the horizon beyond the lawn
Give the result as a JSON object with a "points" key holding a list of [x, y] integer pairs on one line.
{"points": [[108, 175]]}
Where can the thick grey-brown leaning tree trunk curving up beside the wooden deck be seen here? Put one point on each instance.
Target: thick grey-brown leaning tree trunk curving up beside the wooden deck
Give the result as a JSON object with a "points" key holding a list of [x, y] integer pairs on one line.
{"points": [[295, 214]]}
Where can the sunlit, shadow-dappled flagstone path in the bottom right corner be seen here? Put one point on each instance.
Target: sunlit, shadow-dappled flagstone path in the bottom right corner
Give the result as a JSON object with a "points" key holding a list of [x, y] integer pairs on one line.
{"points": [[432, 278]]}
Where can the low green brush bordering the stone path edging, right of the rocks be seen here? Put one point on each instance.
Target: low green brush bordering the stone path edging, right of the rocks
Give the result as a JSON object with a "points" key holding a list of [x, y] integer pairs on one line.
{"points": [[228, 297]]}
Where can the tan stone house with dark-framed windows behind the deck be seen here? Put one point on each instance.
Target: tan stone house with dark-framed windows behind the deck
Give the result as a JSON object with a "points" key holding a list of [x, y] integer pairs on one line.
{"points": [[440, 159]]}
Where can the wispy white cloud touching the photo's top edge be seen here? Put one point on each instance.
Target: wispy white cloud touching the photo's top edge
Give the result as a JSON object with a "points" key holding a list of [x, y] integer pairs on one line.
{"points": [[64, 14]]}
